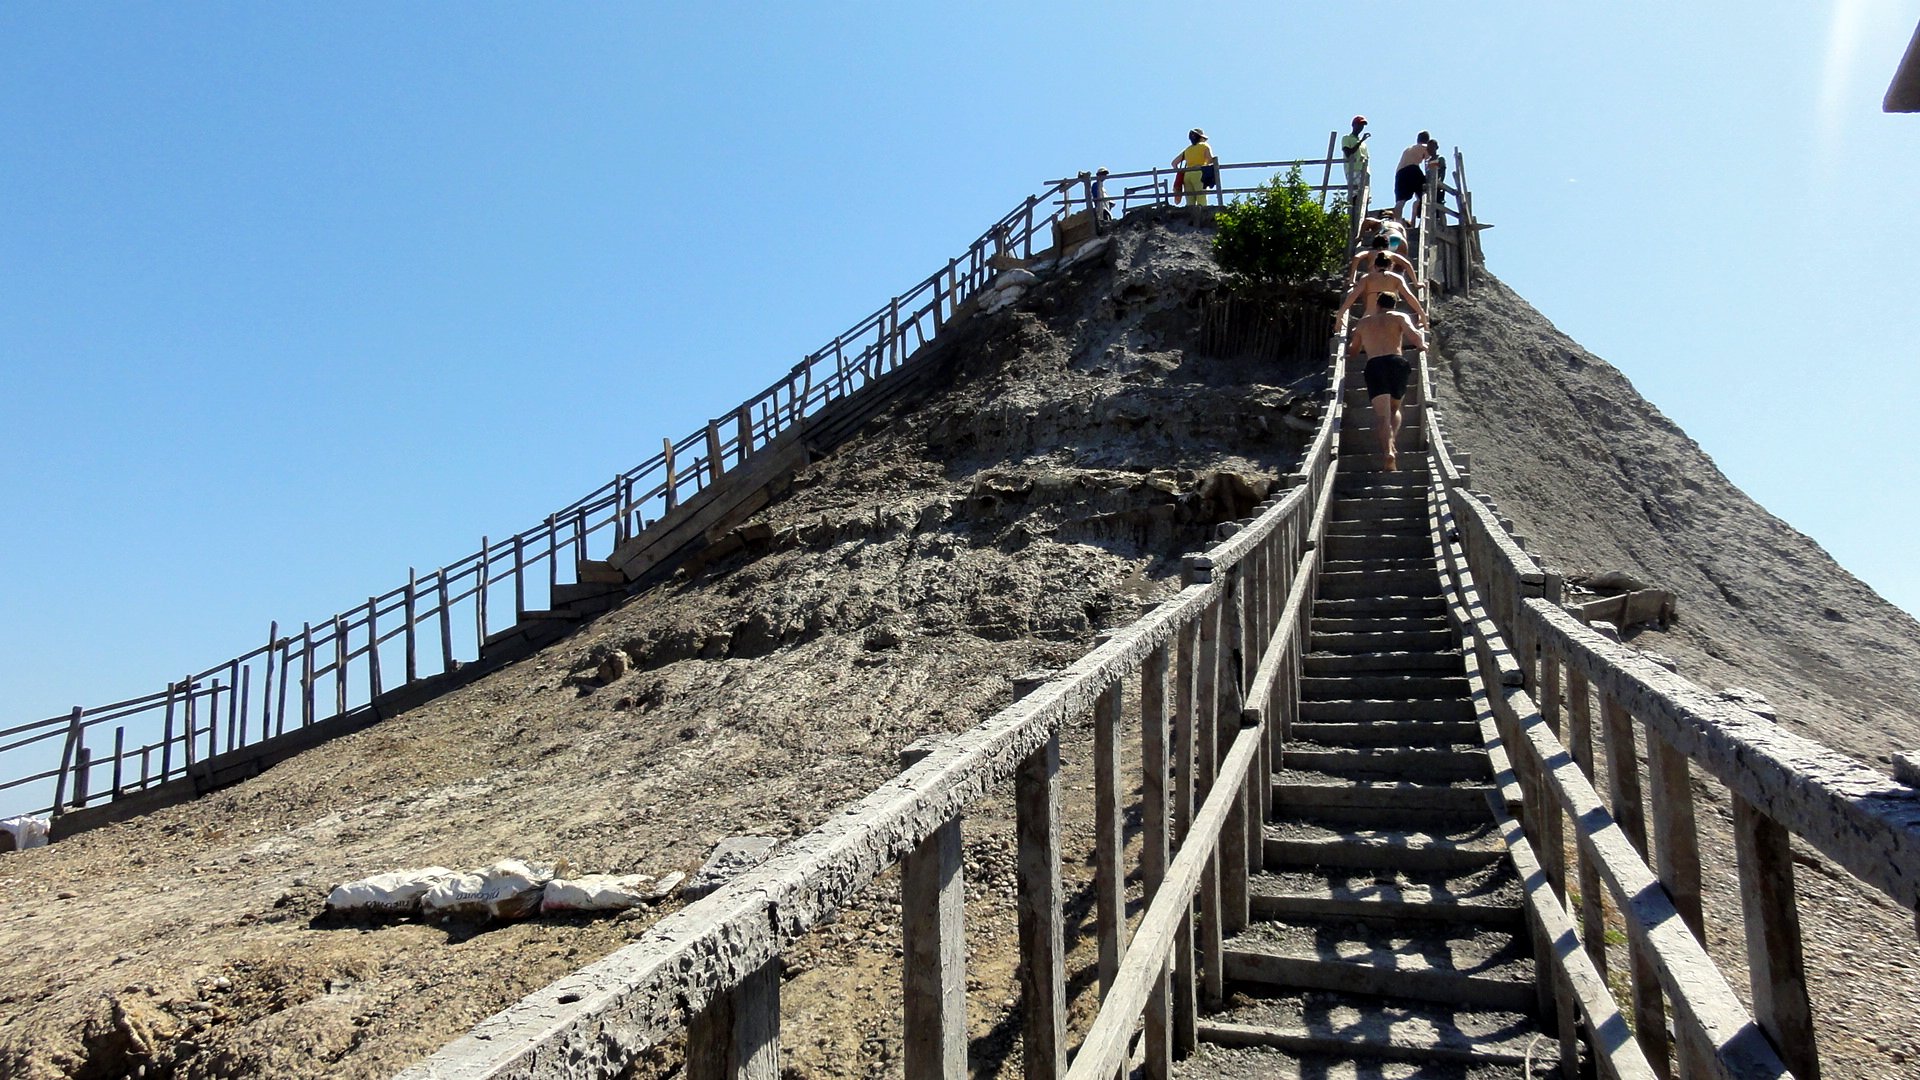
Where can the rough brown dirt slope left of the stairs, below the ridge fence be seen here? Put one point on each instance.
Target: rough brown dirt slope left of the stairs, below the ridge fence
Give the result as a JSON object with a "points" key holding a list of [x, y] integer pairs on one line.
{"points": [[990, 529]]}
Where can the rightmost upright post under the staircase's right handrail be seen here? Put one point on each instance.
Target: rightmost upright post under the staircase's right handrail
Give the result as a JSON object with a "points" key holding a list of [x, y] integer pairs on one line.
{"points": [[1775, 962]]}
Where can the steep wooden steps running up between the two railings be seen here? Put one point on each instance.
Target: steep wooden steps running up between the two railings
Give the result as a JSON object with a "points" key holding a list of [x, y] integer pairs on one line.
{"points": [[1387, 929]]}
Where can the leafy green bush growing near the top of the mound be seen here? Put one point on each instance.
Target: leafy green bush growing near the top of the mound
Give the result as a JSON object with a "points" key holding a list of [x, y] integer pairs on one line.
{"points": [[1280, 235]]}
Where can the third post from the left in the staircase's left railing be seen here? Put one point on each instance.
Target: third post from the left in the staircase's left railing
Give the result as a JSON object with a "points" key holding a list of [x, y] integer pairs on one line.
{"points": [[1044, 979]]}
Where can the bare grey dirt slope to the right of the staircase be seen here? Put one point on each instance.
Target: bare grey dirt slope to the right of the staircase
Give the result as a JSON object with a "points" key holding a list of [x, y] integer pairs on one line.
{"points": [[1602, 481]]}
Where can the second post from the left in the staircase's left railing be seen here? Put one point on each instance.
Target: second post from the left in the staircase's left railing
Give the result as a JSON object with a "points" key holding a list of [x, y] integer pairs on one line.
{"points": [[934, 948]]}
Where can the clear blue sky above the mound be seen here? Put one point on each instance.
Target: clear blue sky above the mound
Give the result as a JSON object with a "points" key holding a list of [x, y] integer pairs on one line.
{"points": [[299, 297]]}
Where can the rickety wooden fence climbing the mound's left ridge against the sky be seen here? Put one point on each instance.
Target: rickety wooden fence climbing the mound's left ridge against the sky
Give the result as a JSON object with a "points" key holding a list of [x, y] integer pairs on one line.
{"points": [[402, 647]]}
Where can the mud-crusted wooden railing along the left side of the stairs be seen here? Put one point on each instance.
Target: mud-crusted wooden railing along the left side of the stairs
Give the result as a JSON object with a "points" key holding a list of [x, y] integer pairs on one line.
{"points": [[1211, 672]]}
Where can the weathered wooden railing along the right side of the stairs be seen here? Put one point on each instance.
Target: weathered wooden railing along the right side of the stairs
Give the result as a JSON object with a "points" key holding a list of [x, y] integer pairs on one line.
{"points": [[1545, 677]]}
